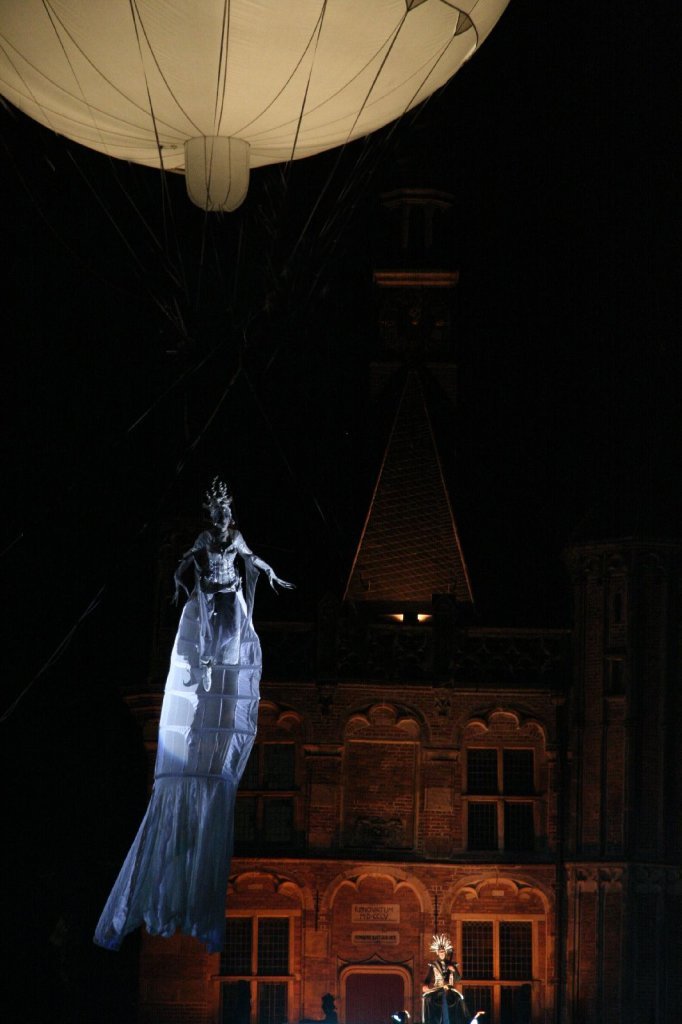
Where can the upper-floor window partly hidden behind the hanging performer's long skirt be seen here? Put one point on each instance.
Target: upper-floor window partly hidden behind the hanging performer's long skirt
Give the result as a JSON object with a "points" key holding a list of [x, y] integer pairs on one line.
{"points": [[266, 814]]}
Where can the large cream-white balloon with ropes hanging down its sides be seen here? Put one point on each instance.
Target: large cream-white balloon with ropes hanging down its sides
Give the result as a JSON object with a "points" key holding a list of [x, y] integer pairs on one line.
{"points": [[214, 88]]}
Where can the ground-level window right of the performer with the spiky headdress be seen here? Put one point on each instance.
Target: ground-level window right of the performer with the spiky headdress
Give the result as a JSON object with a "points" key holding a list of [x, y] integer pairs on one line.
{"points": [[497, 963]]}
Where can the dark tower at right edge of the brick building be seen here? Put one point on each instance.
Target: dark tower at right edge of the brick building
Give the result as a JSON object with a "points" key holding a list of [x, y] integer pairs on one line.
{"points": [[624, 829]]}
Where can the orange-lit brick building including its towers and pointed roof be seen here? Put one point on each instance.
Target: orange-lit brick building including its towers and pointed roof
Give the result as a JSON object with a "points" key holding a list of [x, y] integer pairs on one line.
{"points": [[414, 773]]}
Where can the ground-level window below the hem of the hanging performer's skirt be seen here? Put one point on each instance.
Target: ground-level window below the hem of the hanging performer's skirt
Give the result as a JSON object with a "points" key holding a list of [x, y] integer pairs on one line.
{"points": [[255, 965]]}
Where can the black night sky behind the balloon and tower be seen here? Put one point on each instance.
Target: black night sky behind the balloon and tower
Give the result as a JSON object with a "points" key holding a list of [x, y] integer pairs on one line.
{"points": [[560, 142]]}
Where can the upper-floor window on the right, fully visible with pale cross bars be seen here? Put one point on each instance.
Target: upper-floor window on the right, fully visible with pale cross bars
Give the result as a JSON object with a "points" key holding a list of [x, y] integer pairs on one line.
{"points": [[501, 799]]}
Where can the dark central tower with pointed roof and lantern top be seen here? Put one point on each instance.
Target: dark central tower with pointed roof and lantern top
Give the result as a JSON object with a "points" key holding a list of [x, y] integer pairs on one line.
{"points": [[410, 549]]}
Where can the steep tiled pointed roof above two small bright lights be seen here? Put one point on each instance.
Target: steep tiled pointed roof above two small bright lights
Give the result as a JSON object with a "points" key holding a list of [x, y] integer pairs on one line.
{"points": [[410, 548]]}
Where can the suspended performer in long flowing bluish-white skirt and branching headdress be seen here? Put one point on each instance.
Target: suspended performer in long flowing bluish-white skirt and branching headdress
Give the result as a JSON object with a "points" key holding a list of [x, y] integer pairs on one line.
{"points": [[176, 875]]}
